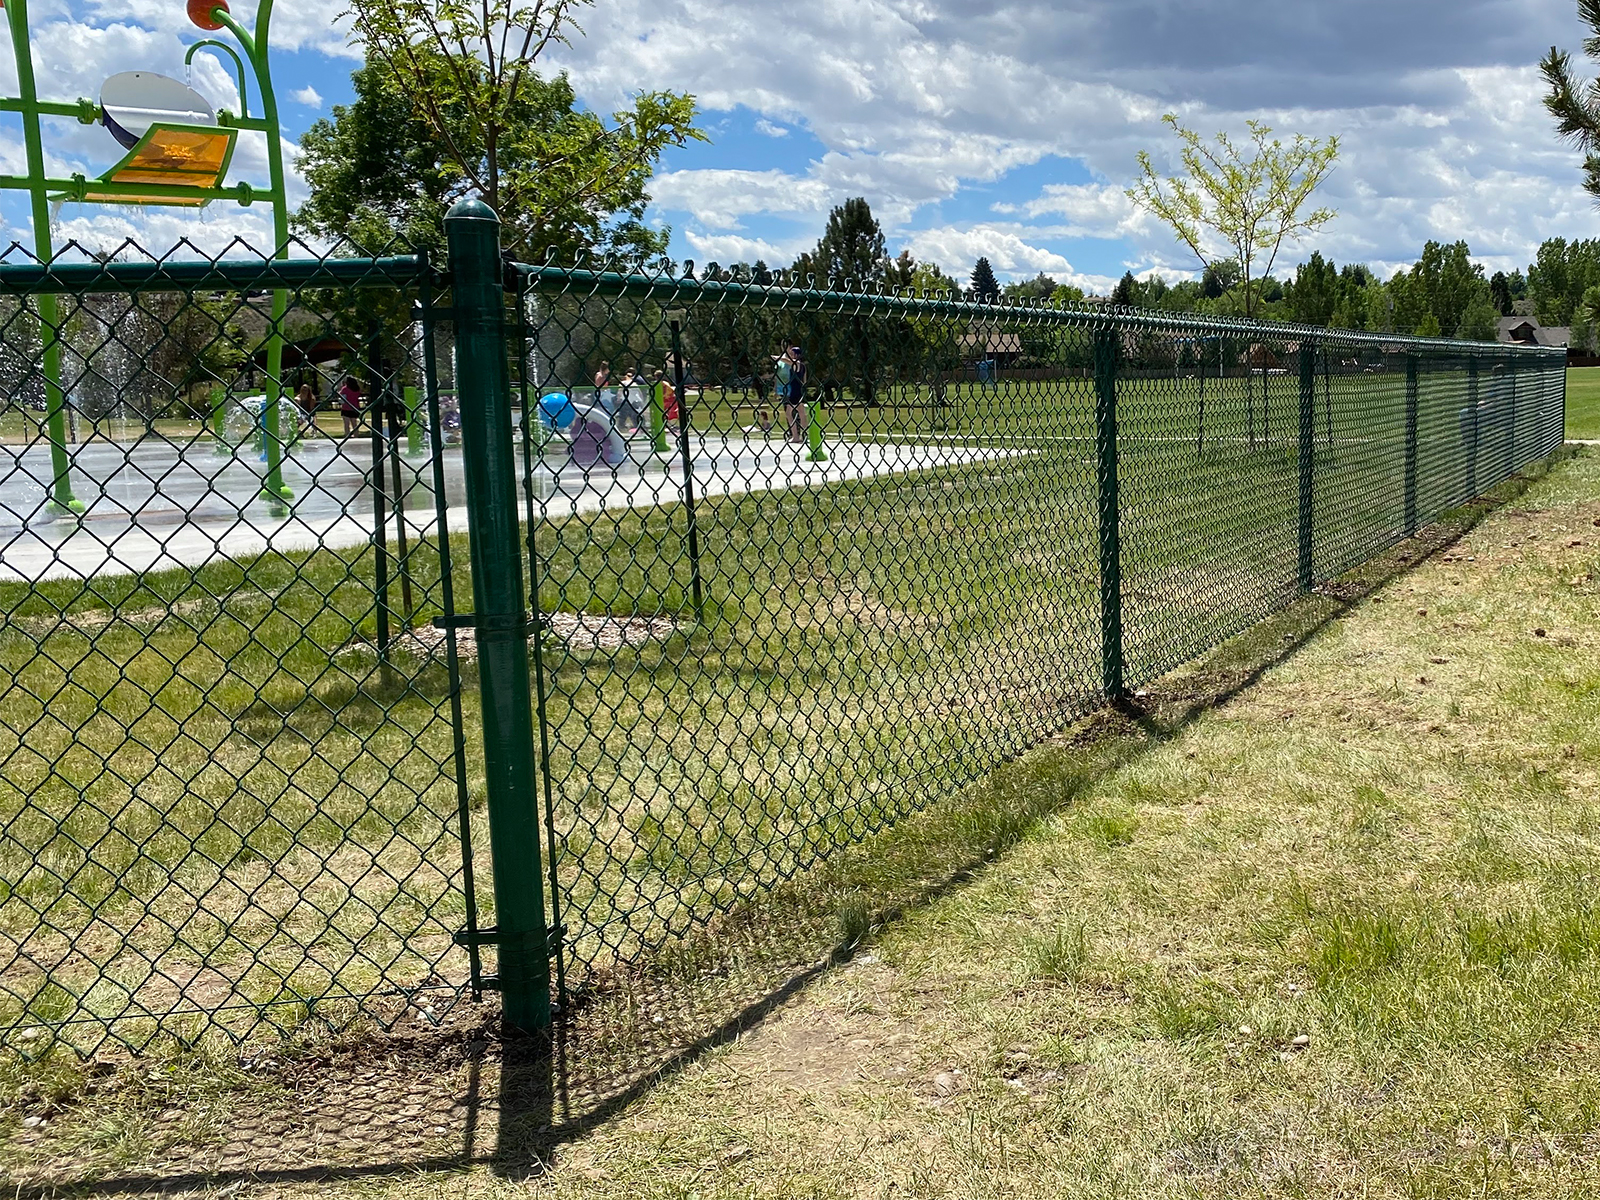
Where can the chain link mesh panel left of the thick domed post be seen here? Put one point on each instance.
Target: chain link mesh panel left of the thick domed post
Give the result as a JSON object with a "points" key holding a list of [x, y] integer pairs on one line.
{"points": [[230, 770]]}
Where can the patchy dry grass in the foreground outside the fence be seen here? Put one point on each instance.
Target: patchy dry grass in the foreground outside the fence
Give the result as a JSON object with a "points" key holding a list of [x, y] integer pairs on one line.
{"points": [[1316, 919]]}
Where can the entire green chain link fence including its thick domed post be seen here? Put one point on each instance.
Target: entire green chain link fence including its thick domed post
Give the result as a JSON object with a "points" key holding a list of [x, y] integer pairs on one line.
{"points": [[706, 620]]}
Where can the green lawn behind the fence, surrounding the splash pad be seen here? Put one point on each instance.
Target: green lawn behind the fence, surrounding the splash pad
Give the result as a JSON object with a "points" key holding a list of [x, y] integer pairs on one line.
{"points": [[215, 799]]}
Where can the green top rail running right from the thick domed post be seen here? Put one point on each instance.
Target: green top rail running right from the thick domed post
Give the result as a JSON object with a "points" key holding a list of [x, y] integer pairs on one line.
{"points": [[860, 303]]}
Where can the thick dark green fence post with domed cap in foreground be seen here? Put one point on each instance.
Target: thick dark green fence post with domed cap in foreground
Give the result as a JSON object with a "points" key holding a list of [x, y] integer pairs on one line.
{"points": [[495, 537]]}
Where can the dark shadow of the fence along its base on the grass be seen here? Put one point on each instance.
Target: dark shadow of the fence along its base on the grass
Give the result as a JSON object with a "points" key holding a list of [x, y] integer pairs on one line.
{"points": [[457, 1097]]}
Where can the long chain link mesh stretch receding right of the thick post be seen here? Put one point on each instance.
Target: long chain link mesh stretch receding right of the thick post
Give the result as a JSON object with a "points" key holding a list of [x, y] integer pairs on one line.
{"points": [[777, 623]]}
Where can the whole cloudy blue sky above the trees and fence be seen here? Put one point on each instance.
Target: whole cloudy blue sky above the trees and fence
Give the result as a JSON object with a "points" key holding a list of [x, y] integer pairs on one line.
{"points": [[975, 127]]}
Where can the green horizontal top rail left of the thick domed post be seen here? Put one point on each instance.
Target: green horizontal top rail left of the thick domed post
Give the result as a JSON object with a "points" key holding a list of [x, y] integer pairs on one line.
{"points": [[31, 279]]}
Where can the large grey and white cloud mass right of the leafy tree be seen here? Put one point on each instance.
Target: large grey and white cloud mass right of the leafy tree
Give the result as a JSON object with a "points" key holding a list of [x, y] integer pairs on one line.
{"points": [[1438, 106]]}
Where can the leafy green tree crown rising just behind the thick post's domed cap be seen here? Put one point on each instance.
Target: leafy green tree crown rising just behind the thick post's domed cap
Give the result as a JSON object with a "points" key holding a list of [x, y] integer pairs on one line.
{"points": [[498, 129]]}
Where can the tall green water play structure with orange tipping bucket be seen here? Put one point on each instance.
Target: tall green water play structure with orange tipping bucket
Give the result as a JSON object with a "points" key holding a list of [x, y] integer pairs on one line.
{"points": [[174, 161]]}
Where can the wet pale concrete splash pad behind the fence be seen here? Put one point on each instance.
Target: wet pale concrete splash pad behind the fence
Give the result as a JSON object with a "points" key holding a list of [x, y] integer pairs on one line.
{"points": [[156, 505]]}
